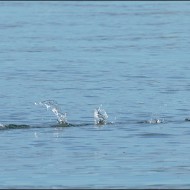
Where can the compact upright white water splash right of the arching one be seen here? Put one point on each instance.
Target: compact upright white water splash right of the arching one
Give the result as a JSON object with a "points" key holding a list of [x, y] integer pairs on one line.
{"points": [[100, 116]]}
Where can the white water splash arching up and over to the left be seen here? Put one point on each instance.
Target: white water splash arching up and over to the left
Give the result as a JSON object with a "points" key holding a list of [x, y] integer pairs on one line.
{"points": [[51, 104]]}
